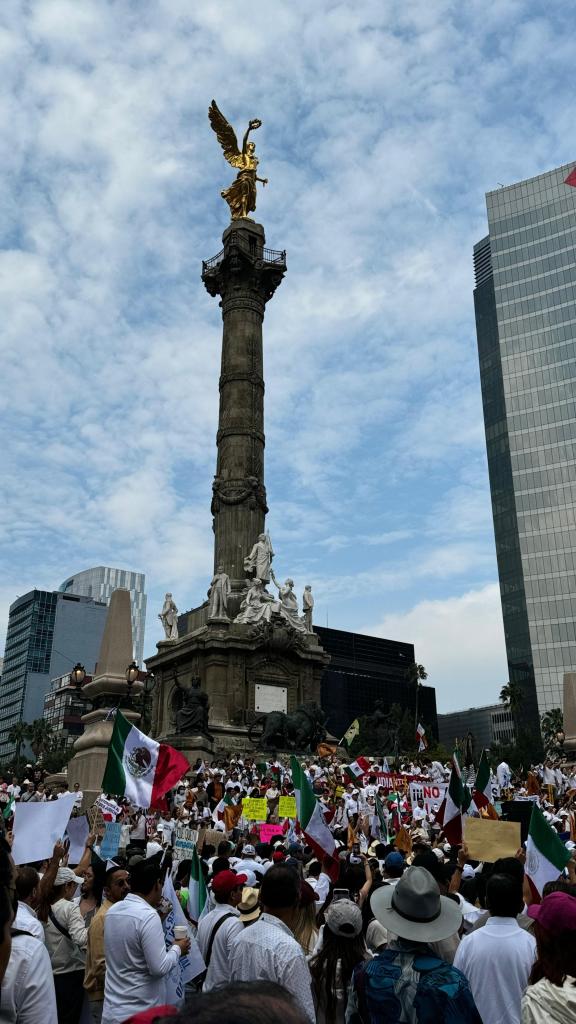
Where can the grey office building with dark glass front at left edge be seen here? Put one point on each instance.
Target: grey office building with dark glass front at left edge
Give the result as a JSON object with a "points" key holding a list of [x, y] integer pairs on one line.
{"points": [[48, 633]]}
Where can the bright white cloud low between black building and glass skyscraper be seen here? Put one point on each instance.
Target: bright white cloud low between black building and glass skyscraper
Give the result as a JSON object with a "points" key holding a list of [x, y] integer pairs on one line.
{"points": [[461, 641]]}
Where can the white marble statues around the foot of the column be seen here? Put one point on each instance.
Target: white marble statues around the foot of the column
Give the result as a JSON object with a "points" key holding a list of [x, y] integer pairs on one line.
{"points": [[258, 605]]}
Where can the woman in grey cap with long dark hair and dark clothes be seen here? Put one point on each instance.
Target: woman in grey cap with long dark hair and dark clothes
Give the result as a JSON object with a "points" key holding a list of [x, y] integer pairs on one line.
{"points": [[333, 965]]}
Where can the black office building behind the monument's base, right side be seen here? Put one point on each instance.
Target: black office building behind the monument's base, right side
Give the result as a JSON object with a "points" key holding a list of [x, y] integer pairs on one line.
{"points": [[363, 670]]}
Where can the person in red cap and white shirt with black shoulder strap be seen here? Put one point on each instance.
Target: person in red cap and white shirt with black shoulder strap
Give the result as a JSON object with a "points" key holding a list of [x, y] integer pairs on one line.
{"points": [[219, 930]]}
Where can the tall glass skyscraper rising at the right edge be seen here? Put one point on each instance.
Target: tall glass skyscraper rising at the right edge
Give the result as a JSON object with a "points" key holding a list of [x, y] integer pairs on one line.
{"points": [[525, 303]]}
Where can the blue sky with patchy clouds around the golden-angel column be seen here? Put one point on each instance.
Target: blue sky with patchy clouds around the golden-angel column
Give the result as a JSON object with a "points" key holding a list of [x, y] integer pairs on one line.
{"points": [[385, 124]]}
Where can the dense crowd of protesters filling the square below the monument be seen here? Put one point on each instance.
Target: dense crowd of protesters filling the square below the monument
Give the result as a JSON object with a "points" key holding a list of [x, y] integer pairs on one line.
{"points": [[397, 925]]}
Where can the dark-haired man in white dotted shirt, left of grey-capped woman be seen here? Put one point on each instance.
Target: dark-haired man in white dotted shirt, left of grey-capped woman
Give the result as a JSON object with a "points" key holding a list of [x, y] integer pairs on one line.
{"points": [[268, 950]]}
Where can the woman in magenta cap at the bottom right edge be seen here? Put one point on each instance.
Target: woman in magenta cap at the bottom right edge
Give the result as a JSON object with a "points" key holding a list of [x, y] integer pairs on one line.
{"points": [[551, 996]]}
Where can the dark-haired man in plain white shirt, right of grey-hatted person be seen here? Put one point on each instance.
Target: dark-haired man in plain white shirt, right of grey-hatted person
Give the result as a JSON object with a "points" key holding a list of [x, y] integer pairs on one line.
{"points": [[498, 958]]}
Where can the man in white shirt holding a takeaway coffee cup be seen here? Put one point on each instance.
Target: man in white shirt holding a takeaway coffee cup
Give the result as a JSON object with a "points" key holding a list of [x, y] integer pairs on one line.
{"points": [[137, 959]]}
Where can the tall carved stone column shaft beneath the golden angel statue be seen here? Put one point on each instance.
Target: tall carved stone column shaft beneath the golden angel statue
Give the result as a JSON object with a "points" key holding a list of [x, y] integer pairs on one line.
{"points": [[245, 276]]}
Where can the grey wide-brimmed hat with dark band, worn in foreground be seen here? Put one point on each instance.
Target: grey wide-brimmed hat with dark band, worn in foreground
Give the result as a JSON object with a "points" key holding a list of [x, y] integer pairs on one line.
{"points": [[415, 910]]}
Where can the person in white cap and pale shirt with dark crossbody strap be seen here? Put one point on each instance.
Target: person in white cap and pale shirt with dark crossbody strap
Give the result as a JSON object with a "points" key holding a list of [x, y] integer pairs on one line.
{"points": [[66, 936]]}
